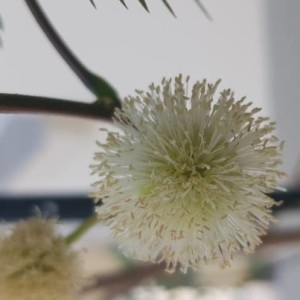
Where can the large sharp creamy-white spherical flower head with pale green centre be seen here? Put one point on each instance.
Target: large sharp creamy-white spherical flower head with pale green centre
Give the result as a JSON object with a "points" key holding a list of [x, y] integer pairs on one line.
{"points": [[185, 180]]}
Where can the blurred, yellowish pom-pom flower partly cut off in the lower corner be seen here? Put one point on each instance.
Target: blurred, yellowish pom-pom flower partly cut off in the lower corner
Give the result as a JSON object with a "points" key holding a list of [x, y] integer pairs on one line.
{"points": [[36, 263]]}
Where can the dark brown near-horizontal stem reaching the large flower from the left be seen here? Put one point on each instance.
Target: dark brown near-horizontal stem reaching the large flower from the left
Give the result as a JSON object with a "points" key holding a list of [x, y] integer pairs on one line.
{"points": [[14, 103]]}
